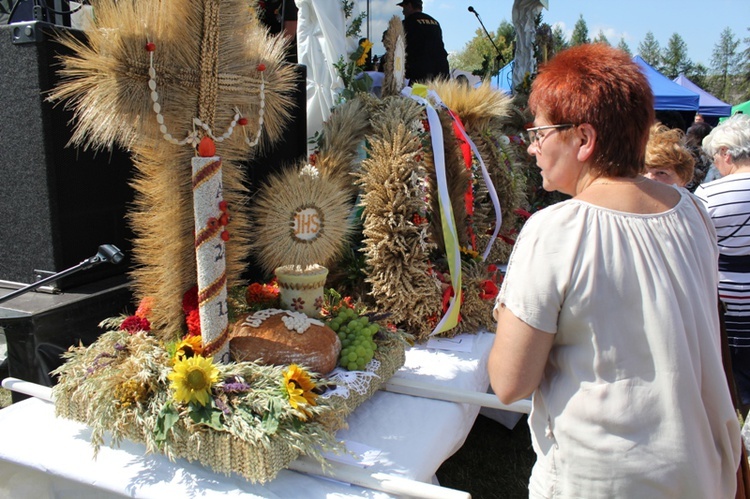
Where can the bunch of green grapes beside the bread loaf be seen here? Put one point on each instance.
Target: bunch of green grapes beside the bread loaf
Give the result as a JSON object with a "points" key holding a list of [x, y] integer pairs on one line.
{"points": [[355, 333]]}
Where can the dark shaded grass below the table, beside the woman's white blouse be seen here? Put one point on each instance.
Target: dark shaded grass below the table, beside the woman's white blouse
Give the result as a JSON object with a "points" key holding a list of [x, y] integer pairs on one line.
{"points": [[494, 462]]}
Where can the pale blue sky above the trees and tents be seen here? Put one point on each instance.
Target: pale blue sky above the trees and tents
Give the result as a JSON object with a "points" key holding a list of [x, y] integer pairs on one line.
{"points": [[699, 23]]}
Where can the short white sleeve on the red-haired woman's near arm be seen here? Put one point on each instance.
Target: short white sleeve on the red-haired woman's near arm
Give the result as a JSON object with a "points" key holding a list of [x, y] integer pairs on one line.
{"points": [[540, 267]]}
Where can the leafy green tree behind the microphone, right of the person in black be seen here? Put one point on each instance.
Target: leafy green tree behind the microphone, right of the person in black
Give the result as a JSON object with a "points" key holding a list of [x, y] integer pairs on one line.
{"points": [[479, 56]]}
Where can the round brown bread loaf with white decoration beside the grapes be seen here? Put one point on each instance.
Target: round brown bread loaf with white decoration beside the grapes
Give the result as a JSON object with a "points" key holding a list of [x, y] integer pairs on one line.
{"points": [[282, 337]]}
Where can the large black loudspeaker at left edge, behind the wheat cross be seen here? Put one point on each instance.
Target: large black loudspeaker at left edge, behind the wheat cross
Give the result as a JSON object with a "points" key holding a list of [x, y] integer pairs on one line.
{"points": [[58, 204]]}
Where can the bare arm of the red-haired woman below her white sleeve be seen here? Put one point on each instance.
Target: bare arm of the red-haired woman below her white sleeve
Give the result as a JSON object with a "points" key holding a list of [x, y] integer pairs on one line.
{"points": [[517, 358]]}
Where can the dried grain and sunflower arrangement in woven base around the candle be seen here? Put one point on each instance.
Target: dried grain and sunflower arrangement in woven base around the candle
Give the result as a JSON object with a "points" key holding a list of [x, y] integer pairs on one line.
{"points": [[240, 417]]}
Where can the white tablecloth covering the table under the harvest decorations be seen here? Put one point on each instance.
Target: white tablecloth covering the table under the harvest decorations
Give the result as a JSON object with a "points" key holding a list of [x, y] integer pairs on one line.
{"points": [[42, 456]]}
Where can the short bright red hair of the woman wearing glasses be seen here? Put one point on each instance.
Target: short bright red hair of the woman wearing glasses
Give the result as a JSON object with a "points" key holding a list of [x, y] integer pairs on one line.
{"points": [[601, 86]]}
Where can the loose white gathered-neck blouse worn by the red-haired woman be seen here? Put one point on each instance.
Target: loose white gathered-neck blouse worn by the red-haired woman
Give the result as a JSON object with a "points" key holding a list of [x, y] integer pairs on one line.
{"points": [[634, 401]]}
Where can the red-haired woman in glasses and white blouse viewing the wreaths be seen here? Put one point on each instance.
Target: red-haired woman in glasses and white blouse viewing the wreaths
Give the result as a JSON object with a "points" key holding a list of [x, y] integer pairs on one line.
{"points": [[608, 312]]}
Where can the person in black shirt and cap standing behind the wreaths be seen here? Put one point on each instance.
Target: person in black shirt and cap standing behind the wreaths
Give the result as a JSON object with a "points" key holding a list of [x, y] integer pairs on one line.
{"points": [[426, 57]]}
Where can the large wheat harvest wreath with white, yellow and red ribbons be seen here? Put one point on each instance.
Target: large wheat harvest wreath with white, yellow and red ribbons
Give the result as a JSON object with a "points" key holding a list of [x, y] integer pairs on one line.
{"points": [[405, 266]]}
